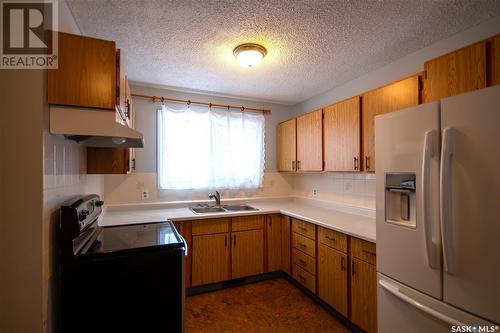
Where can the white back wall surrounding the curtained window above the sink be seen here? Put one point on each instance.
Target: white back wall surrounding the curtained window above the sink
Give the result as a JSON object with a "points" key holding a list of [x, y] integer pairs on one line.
{"points": [[128, 188]]}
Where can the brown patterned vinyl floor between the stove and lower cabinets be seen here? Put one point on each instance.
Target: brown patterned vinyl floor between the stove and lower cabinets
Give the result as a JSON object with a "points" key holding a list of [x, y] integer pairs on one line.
{"points": [[269, 306]]}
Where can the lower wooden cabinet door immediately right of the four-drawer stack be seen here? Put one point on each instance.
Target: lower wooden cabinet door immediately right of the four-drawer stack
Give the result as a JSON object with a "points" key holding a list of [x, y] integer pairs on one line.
{"points": [[332, 278]]}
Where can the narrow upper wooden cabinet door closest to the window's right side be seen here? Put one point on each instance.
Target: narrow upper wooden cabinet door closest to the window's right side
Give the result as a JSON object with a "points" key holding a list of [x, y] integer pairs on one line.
{"points": [[287, 145]]}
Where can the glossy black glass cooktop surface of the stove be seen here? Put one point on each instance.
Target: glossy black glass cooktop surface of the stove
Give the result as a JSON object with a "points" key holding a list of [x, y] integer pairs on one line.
{"points": [[136, 236]]}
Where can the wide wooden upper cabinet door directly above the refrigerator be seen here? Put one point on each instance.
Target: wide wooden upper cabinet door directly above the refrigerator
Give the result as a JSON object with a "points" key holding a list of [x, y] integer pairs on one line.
{"points": [[456, 72]]}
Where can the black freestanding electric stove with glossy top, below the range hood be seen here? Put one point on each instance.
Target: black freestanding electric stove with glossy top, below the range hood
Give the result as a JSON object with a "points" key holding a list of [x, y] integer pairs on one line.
{"points": [[127, 278]]}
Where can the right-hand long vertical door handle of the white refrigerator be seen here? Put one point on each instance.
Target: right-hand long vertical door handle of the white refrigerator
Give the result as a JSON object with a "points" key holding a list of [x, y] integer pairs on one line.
{"points": [[445, 200]]}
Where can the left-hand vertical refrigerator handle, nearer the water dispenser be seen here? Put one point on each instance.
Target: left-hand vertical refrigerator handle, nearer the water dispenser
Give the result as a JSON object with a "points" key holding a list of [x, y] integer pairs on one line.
{"points": [[429, 152]]}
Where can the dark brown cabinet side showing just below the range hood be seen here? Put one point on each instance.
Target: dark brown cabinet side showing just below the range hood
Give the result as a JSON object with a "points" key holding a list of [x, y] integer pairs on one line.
{"points": [[108, 160]]}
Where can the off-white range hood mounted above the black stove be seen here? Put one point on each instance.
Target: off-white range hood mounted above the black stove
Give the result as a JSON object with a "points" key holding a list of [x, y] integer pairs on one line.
{"points": [[93, 127]]}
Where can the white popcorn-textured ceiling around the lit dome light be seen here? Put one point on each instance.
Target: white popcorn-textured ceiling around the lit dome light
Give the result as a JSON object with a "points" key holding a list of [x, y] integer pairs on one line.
{"points": [[313, 46]]}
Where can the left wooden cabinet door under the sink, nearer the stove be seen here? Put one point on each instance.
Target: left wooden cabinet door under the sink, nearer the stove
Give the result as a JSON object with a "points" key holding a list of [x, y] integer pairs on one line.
{"points": [[210, 259]]}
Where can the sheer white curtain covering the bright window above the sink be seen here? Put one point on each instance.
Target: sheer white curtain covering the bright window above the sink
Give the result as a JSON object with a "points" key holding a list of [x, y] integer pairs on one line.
{"points": [[204, 148]]}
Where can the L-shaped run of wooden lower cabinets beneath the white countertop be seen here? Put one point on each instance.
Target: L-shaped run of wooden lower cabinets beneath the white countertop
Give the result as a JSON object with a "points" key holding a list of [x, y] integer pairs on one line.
{"points": [[338, 269]]}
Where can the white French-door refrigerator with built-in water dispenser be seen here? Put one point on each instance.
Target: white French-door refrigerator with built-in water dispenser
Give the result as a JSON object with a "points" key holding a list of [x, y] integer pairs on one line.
{"points": [[438, 215]]}
